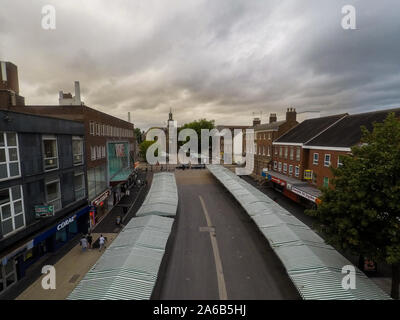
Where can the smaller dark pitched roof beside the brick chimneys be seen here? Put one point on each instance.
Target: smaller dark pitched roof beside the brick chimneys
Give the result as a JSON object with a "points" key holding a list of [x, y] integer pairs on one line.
{"points": [[308, 129]]}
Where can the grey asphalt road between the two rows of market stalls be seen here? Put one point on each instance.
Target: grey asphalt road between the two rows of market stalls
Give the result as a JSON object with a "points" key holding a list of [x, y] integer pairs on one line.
{"points": [[217, 252]]}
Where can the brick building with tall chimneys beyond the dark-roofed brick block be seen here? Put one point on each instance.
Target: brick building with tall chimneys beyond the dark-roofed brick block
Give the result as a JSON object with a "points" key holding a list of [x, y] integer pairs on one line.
{"points": [[265, 134]]}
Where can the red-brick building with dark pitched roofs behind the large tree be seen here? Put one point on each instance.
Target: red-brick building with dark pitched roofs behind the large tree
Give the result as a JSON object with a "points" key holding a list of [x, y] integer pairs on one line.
{"points": [[318, 145]]}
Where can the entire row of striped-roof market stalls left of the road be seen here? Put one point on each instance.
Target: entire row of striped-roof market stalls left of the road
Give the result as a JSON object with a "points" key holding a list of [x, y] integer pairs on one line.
{"points": [[129, 267]]}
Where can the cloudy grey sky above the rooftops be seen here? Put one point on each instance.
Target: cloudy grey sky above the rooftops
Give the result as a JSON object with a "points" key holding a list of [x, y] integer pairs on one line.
{"points": [[214, 59]]}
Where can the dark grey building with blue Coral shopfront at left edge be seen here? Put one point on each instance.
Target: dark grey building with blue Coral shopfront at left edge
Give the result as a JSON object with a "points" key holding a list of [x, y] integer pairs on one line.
{"points": [[43, 193]]}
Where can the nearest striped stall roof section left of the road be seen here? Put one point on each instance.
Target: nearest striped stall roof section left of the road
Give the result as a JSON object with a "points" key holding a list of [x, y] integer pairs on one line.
{"points": [[128, 269]]}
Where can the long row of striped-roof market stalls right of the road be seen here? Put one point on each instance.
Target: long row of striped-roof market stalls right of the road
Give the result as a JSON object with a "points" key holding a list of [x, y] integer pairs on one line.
{"points": [[314, 267]]}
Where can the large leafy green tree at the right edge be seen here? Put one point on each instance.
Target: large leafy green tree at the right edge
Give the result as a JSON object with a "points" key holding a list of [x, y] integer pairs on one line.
{"points": [[362, 212]]}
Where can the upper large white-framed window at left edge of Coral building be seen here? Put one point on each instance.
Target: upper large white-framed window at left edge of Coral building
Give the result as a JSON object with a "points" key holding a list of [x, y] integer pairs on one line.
{"points": [[9, 156]]}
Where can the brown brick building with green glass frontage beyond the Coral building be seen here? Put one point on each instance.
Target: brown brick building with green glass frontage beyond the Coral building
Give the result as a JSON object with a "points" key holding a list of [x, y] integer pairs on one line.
{"points": [[110, 144]]}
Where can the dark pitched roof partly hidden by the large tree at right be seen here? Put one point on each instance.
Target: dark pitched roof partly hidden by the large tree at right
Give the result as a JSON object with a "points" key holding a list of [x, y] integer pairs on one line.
{"points": [[347, 132]]}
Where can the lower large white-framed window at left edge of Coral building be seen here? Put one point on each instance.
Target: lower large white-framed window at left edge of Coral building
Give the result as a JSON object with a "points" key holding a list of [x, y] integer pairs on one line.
{"points": [[12, 210]]}
